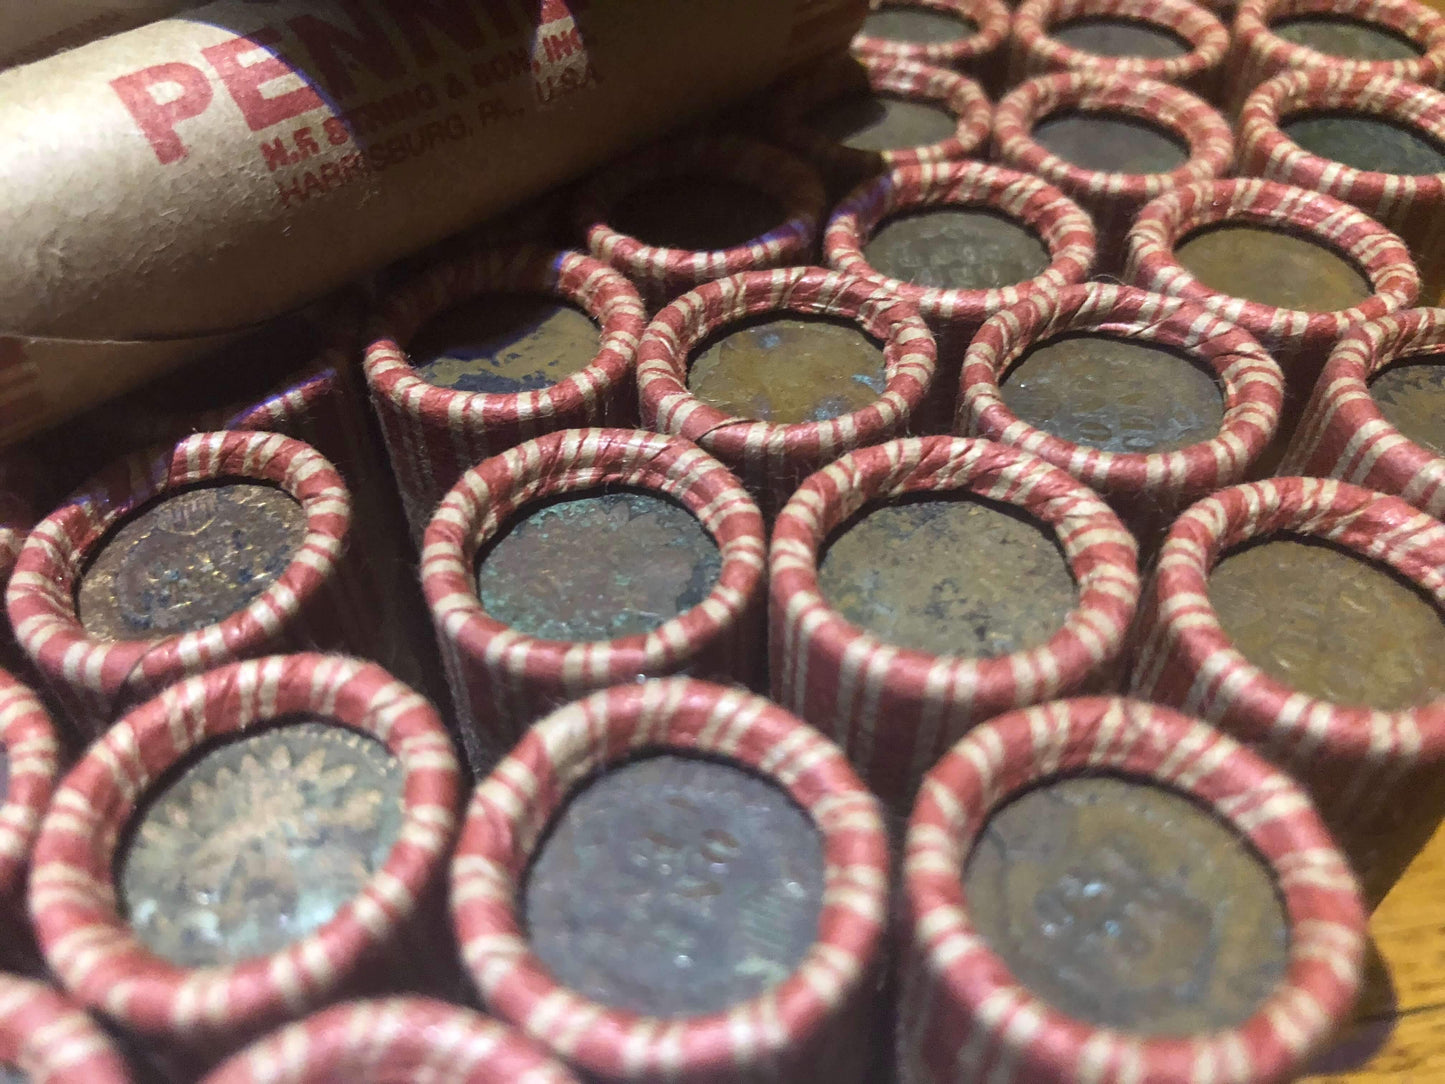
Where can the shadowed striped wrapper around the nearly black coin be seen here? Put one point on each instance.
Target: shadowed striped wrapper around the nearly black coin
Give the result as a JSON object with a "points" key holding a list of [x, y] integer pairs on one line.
{"points": [[660, 272]]}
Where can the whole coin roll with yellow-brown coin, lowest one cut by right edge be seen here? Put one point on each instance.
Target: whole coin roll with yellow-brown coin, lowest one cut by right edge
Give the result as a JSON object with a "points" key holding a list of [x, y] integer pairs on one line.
{"points": [[1373, 771]]}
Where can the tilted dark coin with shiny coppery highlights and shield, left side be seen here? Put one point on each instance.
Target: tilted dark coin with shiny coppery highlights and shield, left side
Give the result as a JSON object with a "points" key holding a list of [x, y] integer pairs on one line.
{"points": [[190, 560]]}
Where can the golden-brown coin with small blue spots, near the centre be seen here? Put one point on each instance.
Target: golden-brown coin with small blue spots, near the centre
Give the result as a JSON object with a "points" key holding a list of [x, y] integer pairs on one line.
{"points": [[788, 371]]}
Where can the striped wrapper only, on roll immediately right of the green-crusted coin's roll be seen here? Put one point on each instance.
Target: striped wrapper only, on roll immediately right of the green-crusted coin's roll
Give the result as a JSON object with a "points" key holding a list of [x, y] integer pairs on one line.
{"points": [[897, 710]]}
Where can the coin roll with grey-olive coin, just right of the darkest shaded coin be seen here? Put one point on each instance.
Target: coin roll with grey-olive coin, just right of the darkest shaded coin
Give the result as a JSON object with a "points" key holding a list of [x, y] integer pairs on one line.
{"points": [[954, 291]]}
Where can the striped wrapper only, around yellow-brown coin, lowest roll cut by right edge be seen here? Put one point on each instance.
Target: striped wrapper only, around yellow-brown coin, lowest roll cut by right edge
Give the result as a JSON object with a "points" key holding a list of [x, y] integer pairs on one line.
{"points": [[1373, 774]]}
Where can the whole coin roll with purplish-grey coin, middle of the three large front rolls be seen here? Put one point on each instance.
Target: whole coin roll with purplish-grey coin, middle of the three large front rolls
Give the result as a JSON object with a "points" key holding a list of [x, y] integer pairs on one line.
{"points": [[804, 1024]]}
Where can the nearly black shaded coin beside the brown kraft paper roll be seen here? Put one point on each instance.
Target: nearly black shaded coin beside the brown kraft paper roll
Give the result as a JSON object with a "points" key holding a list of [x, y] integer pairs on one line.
{"points": [[699, 215]]}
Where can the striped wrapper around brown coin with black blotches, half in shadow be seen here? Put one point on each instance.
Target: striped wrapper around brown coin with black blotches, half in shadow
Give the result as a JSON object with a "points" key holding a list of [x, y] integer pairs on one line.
{"points": [[433, 433]]}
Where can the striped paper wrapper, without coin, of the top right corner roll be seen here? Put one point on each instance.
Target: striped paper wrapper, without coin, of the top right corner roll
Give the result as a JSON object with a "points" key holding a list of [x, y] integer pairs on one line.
{"points": [[1258, 54]]}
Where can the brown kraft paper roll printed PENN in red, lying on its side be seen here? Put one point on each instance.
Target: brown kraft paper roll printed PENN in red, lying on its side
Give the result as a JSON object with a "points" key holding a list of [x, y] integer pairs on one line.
{"points": [[311, 144]]}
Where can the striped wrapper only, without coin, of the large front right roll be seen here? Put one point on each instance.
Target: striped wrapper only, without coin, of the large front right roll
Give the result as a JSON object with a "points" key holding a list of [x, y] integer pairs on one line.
{"points": [[965, 1017]]}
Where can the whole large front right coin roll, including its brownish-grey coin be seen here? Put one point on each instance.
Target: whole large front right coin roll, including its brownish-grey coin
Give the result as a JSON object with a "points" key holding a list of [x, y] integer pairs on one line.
{"points": [[965, 1008]]}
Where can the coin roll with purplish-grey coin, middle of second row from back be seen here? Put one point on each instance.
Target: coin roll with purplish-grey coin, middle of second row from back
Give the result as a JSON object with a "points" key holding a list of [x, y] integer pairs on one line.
{"points": [[1134, 139]]}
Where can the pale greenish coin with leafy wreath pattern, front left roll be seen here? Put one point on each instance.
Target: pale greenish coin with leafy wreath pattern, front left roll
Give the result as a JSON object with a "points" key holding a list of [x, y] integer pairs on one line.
{"points": [[261, 842]]}
